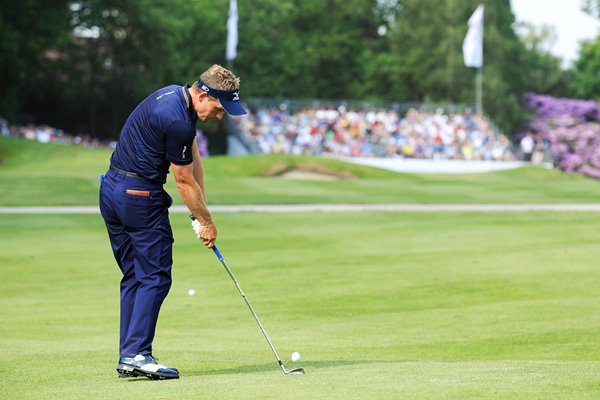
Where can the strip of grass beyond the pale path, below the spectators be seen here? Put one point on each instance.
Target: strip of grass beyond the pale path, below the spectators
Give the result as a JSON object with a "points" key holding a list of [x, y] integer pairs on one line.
{"points": [[47, 174]]}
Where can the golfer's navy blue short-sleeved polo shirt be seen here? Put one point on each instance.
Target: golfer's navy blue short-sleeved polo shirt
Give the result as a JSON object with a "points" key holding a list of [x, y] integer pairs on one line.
{"points": [[160, 131]]}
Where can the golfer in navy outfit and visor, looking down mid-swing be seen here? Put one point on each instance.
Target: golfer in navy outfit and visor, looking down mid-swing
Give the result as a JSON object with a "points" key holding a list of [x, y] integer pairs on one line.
{"points": [[158, 135]]}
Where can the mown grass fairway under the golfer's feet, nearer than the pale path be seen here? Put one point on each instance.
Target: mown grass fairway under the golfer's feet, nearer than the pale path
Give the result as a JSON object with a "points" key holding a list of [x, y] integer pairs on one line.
{"points": [[380, 305]]}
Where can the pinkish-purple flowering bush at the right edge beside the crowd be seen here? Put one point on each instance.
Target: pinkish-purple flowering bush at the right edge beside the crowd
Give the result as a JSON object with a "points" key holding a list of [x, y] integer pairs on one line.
{"points": [[573, 129]]}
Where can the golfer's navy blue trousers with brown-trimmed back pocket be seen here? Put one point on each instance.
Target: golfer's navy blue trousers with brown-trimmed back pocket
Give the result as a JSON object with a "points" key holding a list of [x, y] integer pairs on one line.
{"points": [[142, 243]]}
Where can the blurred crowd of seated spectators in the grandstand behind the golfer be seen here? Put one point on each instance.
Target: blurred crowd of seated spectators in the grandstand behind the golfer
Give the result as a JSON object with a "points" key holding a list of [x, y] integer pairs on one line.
{"points": [[338, 131]]}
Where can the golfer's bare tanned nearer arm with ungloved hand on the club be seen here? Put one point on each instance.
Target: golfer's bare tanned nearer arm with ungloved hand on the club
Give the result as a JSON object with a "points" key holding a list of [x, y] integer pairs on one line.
{"points": [[192, 195]]}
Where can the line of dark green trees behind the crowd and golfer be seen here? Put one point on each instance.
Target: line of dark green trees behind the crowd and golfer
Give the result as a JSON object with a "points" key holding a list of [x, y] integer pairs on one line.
{"points": [[83, 65]]}
